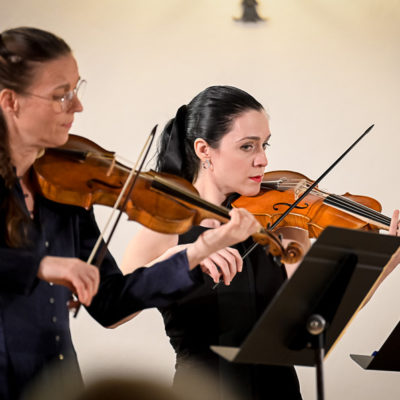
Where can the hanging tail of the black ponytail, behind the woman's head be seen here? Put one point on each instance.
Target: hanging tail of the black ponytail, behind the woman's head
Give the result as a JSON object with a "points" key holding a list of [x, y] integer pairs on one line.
{"points": [[175, 150]]}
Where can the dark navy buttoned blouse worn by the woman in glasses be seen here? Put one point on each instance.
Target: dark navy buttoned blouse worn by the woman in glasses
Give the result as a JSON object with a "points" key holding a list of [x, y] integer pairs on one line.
{"points": [[34, 318]]}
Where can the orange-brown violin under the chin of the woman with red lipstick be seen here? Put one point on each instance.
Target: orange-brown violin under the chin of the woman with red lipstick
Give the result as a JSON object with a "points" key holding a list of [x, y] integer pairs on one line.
{"points": [[319, 209]]}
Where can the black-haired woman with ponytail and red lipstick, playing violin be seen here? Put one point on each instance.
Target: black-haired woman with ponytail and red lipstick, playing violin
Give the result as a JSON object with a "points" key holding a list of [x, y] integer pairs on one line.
{"points": [[218, 142]]}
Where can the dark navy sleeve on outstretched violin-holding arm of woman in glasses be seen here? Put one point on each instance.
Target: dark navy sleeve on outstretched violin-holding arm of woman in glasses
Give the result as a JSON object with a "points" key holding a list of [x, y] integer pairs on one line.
{"points": [[122, 295]]}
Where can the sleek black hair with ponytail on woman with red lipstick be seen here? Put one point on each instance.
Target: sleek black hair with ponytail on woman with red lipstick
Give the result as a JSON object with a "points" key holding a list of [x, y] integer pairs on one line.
{"points": [[208, 116]]}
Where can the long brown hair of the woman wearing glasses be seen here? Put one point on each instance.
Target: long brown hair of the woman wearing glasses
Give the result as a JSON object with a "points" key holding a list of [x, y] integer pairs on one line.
{"points": [[21, 51]]}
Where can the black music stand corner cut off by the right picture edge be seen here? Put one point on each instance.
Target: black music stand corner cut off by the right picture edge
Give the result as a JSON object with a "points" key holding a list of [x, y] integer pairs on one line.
{"points": [[387, 358]]}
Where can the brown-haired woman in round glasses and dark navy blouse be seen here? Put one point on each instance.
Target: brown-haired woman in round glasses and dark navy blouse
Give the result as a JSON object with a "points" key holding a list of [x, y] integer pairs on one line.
{"points": [[44, 245]]}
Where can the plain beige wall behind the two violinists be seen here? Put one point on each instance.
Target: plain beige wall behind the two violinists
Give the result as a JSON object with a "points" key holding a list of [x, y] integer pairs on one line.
{"points": [[325, 71]]}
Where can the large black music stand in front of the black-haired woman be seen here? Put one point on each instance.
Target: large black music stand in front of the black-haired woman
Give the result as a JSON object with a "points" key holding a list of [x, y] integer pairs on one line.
{"points": [[311, 310]]}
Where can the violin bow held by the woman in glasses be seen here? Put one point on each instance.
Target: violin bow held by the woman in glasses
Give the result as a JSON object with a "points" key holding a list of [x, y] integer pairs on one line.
{"points": [[127, 188]]}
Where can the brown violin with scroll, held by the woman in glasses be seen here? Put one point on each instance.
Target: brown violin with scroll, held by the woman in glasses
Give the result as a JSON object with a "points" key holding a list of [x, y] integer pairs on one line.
{"points": [[82, 173]]}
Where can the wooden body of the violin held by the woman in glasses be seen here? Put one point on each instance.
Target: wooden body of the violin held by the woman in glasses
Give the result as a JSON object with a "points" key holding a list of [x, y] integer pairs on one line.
{"points": [[82, 173]]}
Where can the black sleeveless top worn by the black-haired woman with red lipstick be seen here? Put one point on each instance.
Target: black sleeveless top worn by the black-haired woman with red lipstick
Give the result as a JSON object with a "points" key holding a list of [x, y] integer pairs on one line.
{"points": [[224, 316]]}
